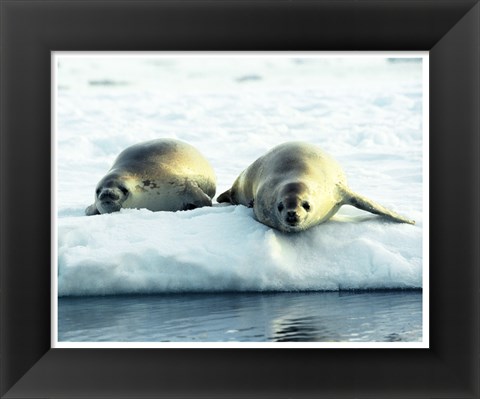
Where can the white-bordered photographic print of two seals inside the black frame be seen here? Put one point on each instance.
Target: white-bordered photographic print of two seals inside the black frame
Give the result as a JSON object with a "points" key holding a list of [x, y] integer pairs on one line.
{"points": [[240, 199]]}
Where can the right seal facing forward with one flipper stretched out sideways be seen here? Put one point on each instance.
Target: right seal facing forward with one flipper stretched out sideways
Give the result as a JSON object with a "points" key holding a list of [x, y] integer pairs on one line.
{"points": [[295, 186]]}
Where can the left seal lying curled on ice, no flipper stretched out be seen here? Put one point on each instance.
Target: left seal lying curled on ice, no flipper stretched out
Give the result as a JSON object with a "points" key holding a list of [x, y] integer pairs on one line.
{"points": [[159, 175]]}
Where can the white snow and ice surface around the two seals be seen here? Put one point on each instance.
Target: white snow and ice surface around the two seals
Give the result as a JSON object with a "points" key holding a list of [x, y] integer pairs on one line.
{"points": [[366, 112]]}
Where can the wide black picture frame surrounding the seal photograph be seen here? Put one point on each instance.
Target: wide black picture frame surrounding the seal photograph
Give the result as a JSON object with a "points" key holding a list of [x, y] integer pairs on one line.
{"points": [[30, 30]]}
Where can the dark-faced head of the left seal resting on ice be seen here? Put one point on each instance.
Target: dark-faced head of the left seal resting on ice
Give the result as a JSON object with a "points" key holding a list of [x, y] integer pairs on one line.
{"points": [[110, 194]]}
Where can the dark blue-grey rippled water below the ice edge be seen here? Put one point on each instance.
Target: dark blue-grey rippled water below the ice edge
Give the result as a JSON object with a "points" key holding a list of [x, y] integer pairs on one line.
{"points": [[276, 317]]}
